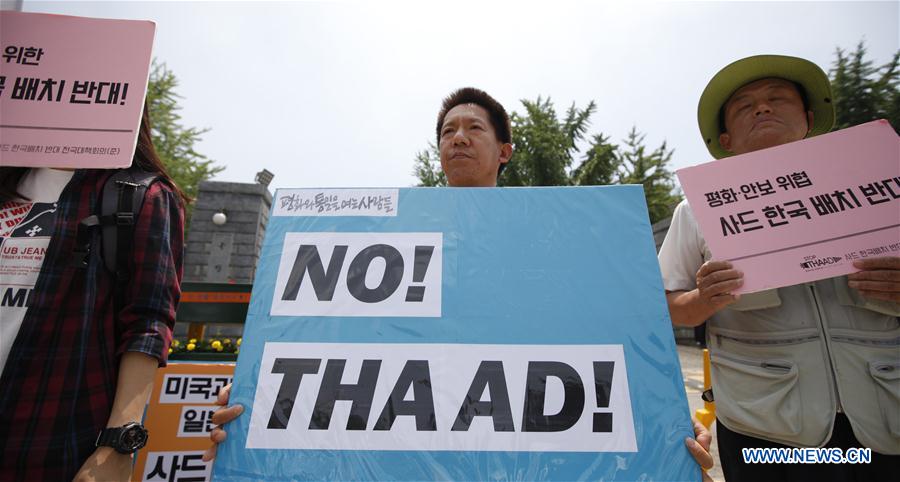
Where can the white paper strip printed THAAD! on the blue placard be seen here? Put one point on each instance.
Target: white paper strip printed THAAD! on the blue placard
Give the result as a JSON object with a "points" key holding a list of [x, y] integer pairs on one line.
{"points": [[518, 398]]}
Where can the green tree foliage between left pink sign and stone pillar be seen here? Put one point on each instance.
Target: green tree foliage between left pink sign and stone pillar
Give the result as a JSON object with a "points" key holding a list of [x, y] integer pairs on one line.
{"points": [[175, 143]]}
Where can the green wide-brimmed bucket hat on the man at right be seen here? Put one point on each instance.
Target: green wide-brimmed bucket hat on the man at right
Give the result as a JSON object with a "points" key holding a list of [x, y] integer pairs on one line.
{"points": [[742, 72]]}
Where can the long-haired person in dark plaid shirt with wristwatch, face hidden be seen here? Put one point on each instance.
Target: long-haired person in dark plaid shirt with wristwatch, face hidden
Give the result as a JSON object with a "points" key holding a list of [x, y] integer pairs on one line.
{"points": [[79, 346]]}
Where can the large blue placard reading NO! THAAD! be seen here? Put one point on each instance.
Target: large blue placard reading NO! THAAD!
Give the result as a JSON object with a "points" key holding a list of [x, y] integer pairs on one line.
{"points": [[458, 334]]}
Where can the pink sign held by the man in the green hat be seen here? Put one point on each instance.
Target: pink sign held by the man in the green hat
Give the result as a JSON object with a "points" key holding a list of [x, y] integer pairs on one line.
{"points": [[802, 211]]}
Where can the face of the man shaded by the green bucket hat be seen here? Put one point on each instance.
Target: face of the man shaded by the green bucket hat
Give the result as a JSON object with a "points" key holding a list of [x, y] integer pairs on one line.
{"points": [[764, 113]]}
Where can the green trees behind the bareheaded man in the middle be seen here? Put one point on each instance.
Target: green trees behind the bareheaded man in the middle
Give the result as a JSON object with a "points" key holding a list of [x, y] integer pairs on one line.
{"points": [[547, 153]]}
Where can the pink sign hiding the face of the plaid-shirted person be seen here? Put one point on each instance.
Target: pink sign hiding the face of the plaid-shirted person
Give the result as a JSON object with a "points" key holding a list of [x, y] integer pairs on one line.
{"points": [[71, 89]]}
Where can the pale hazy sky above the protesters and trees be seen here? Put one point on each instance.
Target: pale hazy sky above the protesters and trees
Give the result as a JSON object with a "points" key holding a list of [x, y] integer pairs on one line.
{"points": [[345, 93]]}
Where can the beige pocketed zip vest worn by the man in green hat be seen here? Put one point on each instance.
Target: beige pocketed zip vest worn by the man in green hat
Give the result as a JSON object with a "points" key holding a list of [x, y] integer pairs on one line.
{"points": [[785, 361]]}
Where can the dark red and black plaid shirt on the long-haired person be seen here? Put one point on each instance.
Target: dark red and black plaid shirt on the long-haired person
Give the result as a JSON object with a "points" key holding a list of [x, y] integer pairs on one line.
{"points": [[59, 382]]}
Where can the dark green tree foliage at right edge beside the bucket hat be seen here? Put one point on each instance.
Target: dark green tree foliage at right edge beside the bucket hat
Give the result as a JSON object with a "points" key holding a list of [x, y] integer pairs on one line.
{"points": [[864, 92]]}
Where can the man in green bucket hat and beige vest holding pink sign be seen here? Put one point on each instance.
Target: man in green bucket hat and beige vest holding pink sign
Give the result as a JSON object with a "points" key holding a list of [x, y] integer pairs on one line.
{"points": [[810, 365]]}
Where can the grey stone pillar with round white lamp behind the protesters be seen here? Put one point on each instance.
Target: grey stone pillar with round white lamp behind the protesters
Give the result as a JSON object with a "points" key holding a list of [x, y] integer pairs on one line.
{"points": [[226, 253]]}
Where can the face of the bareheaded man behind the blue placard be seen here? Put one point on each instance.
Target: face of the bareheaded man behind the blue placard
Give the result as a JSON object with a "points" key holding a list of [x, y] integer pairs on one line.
{"points": [[470, 151]]}
